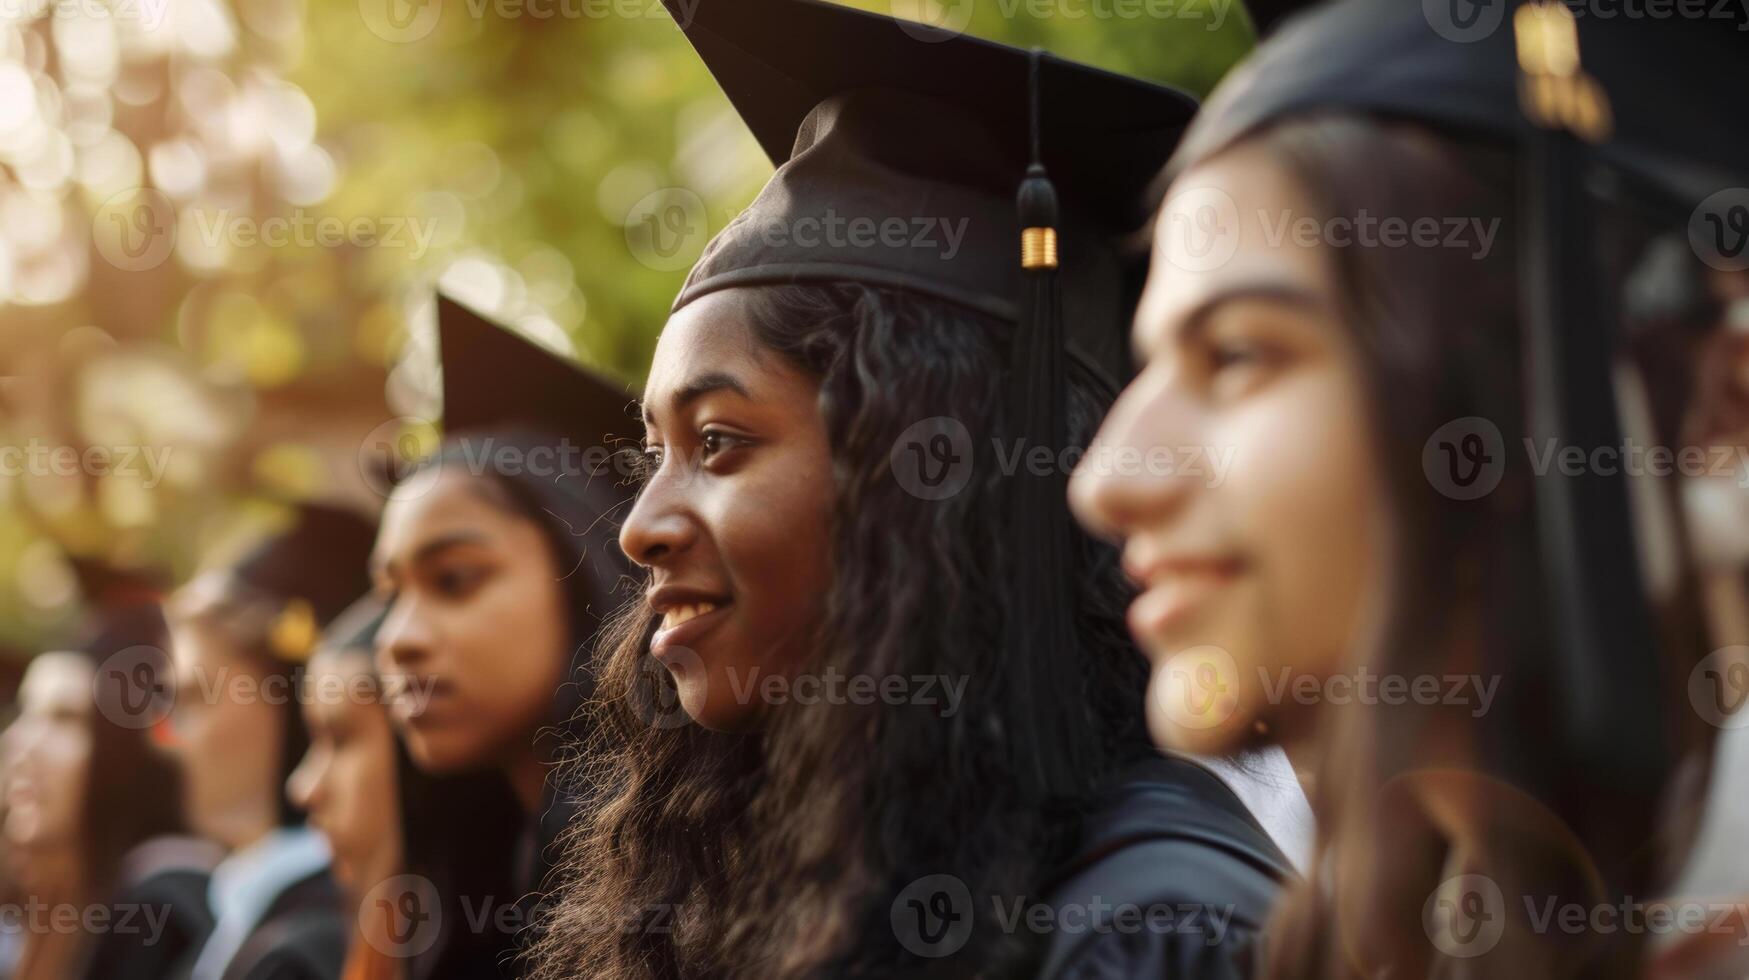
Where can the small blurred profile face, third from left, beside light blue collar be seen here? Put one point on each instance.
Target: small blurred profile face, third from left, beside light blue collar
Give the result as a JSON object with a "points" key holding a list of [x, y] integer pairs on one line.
{"points": [[347, 778]]}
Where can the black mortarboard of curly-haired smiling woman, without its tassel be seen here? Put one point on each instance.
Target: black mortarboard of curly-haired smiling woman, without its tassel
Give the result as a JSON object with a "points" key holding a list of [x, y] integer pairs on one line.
{"points": [[870, 120]]}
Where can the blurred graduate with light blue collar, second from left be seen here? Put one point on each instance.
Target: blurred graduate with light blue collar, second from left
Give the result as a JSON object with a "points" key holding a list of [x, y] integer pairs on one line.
{"points": [[240, 638]]}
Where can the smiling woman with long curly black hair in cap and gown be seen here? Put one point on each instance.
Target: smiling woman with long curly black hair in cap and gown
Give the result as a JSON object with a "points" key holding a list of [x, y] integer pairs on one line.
{"points": [[832, 536]]}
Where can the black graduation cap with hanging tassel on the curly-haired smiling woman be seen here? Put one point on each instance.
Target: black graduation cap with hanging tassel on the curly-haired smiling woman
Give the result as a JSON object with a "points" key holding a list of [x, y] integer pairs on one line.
{"points": [[1042, 165]]}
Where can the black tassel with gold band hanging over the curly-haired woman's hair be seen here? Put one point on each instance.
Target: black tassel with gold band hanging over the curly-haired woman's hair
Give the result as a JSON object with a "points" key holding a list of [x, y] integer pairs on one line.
{"points": [[1042, 631]]}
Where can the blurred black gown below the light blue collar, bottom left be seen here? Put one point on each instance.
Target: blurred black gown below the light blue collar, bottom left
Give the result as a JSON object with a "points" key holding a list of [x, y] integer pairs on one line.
{"points": [[303, 935]]}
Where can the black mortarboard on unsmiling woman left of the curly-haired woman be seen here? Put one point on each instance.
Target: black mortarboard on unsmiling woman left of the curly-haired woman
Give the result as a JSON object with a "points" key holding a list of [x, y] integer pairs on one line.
{"points": [[498, 381]]}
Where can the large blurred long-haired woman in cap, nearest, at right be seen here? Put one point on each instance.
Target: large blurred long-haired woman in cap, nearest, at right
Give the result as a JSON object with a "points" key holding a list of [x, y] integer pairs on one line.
{"points": [[1346, 542]]}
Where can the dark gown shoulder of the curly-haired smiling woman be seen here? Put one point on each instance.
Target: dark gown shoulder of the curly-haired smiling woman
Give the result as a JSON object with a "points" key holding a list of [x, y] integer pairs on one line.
{"points": [[1171, 843]]}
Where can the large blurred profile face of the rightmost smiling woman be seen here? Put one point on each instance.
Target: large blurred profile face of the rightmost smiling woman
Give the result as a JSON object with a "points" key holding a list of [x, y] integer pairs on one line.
{"points": [[1237, 466]]}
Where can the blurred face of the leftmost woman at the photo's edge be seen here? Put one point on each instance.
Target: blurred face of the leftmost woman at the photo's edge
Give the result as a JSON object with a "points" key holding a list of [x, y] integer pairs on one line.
{"points": [[48, 753]]}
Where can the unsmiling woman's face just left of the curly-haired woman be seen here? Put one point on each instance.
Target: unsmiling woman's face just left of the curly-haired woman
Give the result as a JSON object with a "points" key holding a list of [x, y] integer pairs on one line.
{"points": [[477, 640]]}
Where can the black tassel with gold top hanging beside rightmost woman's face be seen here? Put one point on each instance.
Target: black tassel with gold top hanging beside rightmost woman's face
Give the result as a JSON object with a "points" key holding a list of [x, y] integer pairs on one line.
{"points": [[1605, 662]]}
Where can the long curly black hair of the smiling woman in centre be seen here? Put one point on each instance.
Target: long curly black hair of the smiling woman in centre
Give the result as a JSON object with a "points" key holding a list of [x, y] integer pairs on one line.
{"points": [[781, 853]]}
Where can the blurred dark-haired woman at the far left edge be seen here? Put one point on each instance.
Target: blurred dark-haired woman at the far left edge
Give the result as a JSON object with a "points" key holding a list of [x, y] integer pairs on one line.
{"points": [[85, 785]]}
